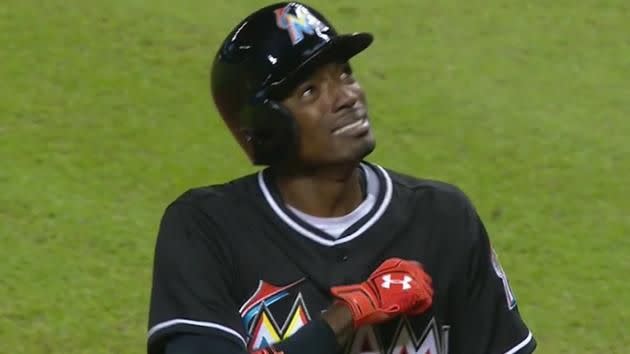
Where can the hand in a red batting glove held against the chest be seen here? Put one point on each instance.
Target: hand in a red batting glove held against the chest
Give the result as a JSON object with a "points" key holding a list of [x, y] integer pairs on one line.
{"points": [[396, 287]]}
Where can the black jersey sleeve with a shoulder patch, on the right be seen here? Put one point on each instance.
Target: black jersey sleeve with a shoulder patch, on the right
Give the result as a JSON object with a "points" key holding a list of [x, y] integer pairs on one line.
{"points": [[486, 316]]}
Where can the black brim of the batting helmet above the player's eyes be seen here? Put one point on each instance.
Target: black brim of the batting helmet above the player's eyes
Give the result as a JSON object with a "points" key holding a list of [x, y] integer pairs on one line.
{"points": [[340, 48]]}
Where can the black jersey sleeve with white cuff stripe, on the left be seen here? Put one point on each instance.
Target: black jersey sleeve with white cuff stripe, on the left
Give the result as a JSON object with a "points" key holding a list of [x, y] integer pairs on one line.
{"points": [[192, 280]]}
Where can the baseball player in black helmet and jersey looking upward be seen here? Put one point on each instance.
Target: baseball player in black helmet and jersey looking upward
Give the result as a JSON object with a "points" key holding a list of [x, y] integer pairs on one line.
{"points": [[320, 252]]}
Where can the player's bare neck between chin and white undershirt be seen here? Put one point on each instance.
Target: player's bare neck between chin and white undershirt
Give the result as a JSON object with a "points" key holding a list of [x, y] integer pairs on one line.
{"points": [[324, 192]]}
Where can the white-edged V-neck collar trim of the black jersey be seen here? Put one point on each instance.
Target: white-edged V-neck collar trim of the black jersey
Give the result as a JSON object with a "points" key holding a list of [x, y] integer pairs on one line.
{"points": [[297, 227]]}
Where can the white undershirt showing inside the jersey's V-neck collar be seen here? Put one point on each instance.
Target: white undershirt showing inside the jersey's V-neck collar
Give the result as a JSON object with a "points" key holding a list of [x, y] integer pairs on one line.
{"points": [[335, 226]]}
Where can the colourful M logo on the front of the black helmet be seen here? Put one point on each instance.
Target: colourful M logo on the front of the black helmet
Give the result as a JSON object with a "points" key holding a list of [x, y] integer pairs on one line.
{"points": [[300, 23]]}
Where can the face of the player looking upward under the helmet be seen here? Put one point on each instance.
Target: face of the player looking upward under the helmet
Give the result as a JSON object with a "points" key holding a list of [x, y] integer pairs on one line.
{"points": [[331, 112]]}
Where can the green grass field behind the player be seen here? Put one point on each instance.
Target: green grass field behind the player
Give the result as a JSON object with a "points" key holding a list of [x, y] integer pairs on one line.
{"points": [[105, 117]]}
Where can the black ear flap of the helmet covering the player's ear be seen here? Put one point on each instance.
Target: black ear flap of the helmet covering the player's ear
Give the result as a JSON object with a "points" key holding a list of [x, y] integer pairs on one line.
{"points": [[273, 133]]}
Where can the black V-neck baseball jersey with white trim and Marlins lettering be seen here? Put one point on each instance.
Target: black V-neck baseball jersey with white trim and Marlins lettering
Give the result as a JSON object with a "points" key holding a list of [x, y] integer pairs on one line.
{"points": [[233, 260]]}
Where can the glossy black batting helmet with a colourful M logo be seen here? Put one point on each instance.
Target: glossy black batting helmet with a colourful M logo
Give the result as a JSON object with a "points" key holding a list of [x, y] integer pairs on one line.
{"points": [[260, 61]]}
